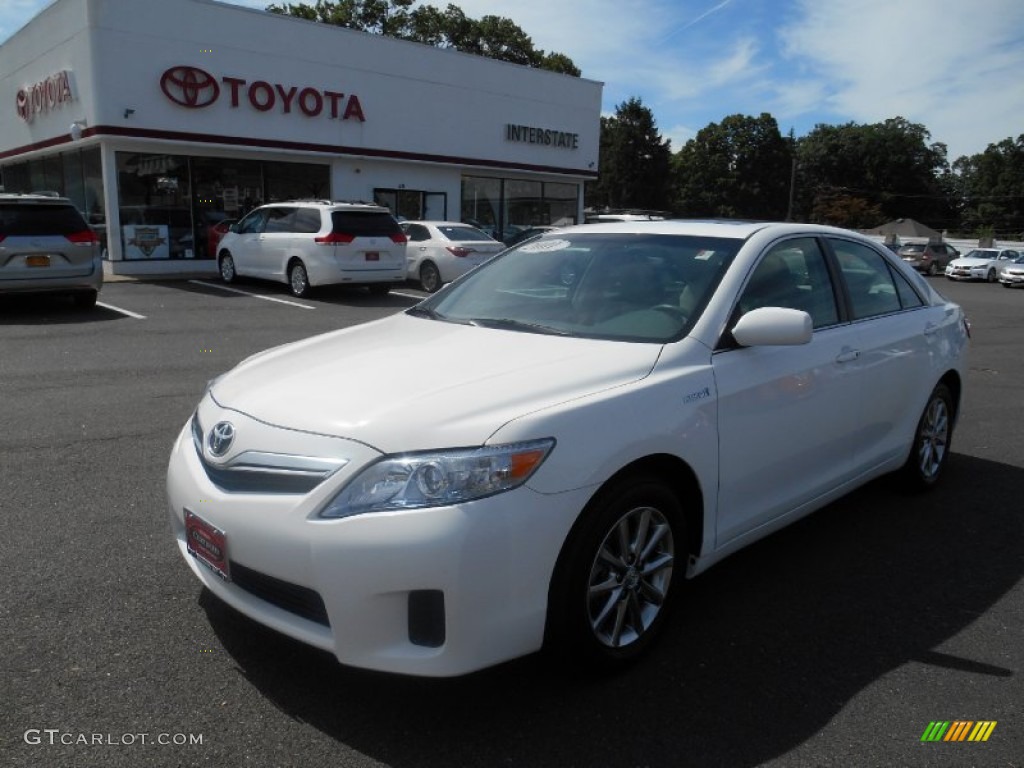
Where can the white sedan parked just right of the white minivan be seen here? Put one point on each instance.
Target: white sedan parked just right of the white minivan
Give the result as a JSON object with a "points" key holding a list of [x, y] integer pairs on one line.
{"points": [[441, 251]]}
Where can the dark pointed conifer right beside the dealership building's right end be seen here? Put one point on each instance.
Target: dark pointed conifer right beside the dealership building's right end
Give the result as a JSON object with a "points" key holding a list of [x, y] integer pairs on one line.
{"points": [[634, 160]]}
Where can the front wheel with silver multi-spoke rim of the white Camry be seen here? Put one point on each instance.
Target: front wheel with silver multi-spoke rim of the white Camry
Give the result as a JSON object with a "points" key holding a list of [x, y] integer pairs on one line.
{"points": [[617, 578]]}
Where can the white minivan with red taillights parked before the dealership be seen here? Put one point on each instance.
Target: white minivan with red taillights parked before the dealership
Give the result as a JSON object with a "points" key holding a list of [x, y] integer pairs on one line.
{"points": [[306, 244]]}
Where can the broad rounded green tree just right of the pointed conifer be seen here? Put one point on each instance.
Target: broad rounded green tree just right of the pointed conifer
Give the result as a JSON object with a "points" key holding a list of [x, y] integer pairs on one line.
{"points": [[740, 168]]}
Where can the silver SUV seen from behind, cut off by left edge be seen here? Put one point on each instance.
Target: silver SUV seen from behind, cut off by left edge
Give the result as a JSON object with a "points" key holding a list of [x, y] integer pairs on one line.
{"points": [[48, 247]]}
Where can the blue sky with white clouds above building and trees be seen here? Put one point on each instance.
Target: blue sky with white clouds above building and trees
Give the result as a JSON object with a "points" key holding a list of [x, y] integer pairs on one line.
{"points": [[957, 67]]}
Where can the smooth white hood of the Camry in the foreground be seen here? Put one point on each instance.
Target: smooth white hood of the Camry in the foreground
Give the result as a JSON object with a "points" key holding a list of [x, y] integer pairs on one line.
{"points": [[410, 383]]}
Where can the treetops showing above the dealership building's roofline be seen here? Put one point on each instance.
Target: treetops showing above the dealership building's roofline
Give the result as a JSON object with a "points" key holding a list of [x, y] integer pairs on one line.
{"points": [[491, 36]]}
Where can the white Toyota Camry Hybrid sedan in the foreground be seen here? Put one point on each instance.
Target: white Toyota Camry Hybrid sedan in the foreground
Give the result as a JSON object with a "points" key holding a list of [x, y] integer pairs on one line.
{"points": [[538, 455]]}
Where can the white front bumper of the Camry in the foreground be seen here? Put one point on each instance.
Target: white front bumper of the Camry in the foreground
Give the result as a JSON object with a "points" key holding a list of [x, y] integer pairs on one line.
{"points": [[485, 569]]}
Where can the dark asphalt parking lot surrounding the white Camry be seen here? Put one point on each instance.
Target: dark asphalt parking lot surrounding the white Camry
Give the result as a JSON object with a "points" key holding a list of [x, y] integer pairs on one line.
{"points": [[834, 644]]}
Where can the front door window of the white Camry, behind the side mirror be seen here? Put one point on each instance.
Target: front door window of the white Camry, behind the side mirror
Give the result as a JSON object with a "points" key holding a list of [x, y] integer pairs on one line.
{"points": [[793, 274]]}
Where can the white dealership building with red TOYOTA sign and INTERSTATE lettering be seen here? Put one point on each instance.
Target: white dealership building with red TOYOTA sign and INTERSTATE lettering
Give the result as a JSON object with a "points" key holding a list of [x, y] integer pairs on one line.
{"points": [[164, 120]]}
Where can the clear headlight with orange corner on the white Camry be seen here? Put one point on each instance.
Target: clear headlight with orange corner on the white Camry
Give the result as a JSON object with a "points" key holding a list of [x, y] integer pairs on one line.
{"points": [[439, 479]]}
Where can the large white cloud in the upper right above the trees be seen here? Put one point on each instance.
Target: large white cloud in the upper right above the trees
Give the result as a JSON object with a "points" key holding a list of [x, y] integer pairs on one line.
{"points": [[955, 67]]}
